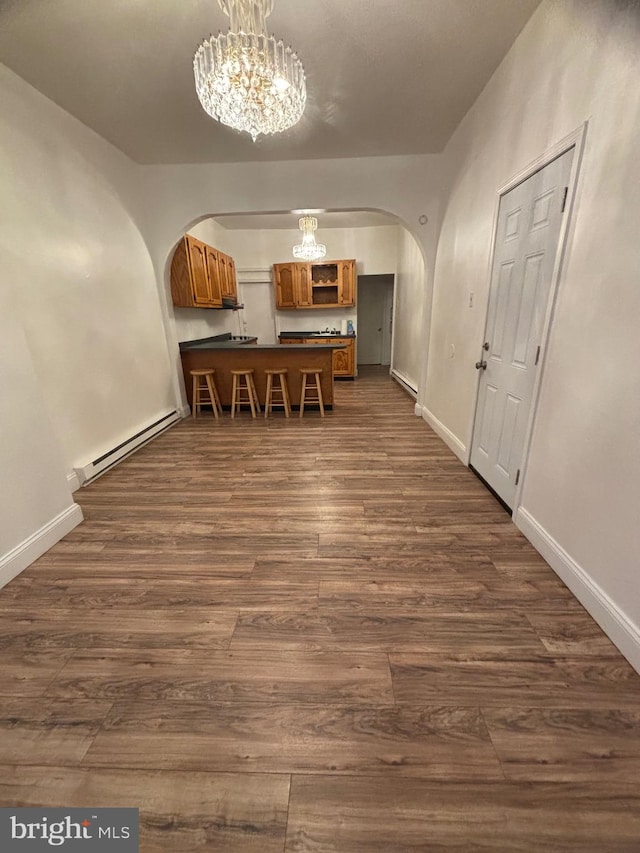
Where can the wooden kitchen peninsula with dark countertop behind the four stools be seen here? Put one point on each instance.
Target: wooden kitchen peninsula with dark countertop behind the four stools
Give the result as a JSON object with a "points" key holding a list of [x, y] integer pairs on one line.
{"points": [[225, 353]]}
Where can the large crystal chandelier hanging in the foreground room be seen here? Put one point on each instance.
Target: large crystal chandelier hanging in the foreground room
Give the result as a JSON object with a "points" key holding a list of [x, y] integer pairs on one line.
{"points": [[247, 80]]}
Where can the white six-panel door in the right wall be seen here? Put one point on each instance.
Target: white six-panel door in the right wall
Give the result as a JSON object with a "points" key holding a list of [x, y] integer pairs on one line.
{"points": [[527, 234]]}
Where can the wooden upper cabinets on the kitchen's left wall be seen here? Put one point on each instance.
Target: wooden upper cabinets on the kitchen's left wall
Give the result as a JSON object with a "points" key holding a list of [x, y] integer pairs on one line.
{"points": [[201, 275]]}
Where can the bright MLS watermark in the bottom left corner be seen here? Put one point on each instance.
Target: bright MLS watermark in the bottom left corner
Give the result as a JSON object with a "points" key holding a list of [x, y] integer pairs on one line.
{"points": [[73, 830]]}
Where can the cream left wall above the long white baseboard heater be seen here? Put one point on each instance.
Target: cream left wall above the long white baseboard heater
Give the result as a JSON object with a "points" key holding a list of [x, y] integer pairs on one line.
{"points": [[80, 276]]}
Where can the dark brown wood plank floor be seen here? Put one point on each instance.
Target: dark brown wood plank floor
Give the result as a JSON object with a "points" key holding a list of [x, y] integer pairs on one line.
{"points": [[316, 635]]}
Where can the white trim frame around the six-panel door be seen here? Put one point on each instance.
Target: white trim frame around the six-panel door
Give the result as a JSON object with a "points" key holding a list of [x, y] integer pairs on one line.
{"points": [[575, 140]]}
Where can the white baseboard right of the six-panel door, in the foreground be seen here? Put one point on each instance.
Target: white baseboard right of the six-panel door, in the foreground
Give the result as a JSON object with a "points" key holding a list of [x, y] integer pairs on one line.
{"points": [[616, 625]]}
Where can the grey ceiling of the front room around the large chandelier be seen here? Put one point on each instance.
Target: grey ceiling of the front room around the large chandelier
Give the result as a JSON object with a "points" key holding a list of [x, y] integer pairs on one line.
{"points": [[384, 77]]}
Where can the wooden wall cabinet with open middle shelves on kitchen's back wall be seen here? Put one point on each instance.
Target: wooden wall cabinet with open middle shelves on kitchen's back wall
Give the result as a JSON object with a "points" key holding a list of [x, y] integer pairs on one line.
{"points": [[326, 284]]}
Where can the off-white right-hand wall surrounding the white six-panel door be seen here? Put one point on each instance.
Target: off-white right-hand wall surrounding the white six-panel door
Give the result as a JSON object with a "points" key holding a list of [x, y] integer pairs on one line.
{"points": [[576, 61]]}
